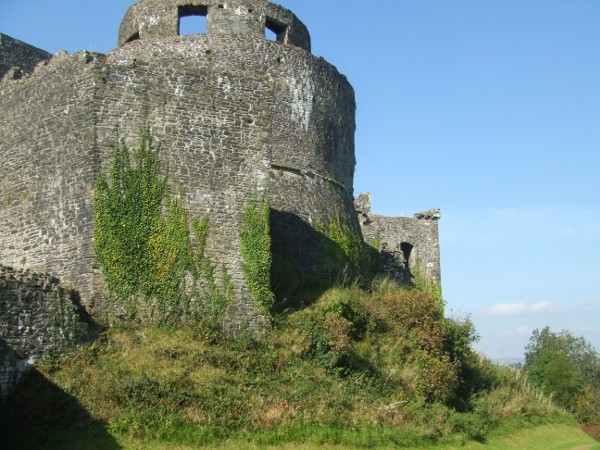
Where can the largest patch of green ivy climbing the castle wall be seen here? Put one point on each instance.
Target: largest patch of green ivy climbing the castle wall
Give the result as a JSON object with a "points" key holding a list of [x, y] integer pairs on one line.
{"points": [[142, 241]]}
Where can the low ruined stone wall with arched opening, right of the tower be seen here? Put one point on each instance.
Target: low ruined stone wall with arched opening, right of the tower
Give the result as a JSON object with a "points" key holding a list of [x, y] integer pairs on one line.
{"points": [[406, 244]]}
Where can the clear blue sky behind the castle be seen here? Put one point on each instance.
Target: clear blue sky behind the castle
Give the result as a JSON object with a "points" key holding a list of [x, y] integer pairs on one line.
{"points": [[489, 110]]}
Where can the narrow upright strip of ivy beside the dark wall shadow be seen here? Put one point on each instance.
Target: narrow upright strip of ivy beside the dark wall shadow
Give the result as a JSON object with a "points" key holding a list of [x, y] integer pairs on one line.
{"points": [[255, 241]]}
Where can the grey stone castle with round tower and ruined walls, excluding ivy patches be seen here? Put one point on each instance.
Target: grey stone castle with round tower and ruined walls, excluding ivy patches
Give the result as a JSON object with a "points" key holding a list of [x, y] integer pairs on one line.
{"points": [[238, 116]]}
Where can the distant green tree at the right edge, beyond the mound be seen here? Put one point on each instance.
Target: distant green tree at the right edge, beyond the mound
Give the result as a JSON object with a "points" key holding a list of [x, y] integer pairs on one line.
{"points": [[566, 367]]}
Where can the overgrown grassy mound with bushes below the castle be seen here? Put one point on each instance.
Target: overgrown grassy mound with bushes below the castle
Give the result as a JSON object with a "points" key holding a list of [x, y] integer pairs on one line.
{"points": [[366, 369]]}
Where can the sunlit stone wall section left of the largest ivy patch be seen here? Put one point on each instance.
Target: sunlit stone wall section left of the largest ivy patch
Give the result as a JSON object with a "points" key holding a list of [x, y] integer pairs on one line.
{"points": [[49, 153]]}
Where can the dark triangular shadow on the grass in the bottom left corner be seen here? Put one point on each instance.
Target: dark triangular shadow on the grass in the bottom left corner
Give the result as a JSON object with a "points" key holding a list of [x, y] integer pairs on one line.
{"points": [[40, 415]]}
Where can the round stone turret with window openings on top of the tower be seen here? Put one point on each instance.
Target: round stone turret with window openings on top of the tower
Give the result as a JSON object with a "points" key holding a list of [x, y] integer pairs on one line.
{"points": [[152, 19]]}
